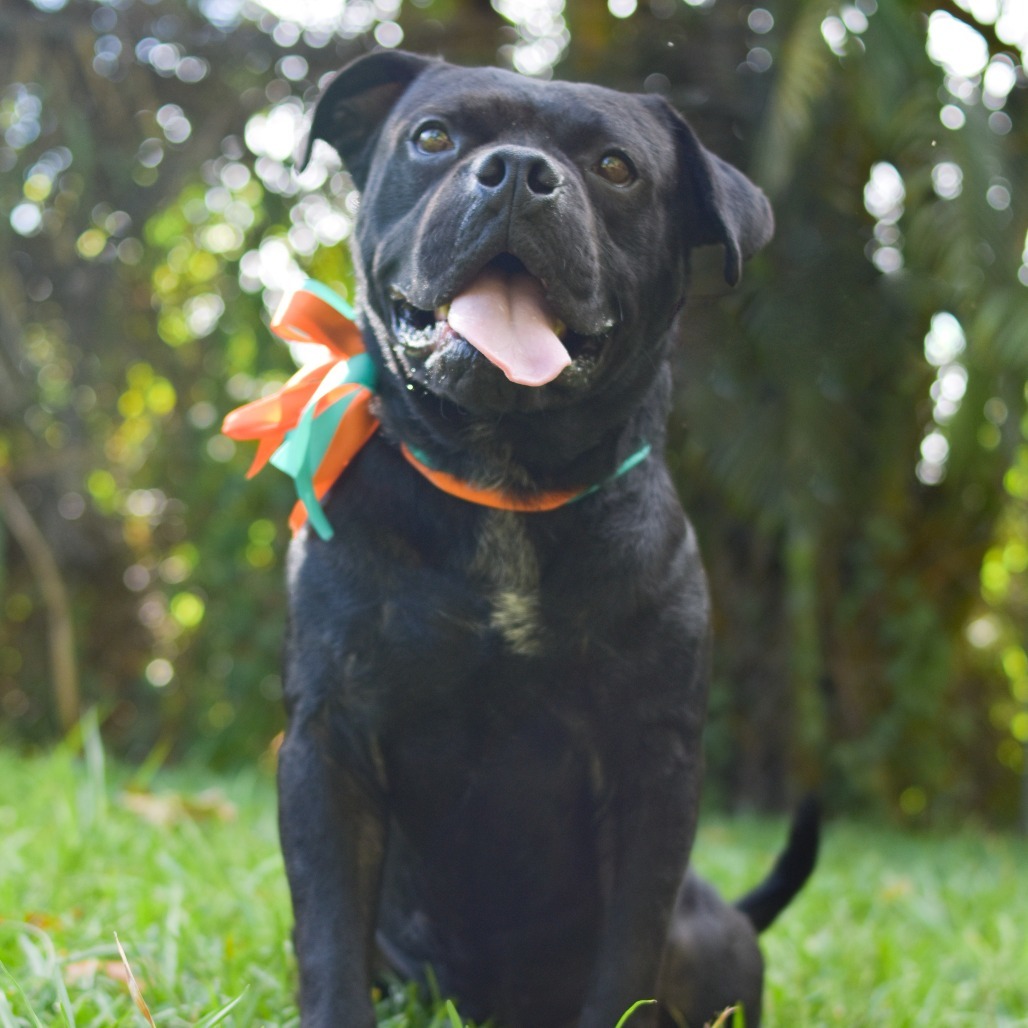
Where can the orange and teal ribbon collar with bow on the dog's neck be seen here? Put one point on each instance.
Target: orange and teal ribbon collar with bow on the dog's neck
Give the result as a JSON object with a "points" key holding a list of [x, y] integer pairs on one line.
{"points": [[314, 426]]}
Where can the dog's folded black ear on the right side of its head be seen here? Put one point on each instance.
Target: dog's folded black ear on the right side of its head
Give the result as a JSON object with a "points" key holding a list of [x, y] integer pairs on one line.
{"points": [[730, 209]]}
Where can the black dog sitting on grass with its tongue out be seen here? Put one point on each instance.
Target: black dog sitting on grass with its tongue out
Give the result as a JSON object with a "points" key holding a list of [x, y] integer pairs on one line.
{"points": [[493, 760]]}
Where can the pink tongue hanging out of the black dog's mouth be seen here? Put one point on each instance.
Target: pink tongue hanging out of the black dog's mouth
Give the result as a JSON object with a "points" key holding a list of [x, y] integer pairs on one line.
{"points": [[505, 319]]}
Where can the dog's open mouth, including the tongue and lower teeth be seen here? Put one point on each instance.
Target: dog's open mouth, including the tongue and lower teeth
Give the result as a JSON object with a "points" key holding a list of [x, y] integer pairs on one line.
{"points": [[504, 315]]}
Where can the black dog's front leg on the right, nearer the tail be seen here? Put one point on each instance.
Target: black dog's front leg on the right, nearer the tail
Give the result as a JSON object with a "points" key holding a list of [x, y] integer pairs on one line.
{"points": [[647, 836]]}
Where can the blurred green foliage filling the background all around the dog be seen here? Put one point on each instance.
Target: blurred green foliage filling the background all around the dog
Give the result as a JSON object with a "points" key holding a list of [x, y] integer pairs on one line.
{"points": [[851, 438]]}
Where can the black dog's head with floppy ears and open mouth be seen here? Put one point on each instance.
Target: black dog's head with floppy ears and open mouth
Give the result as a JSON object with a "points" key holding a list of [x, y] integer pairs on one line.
{"points": [[524, 247]]}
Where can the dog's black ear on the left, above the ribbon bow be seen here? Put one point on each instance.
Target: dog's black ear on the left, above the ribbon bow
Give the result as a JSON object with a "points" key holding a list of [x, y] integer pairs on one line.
{"points": [[350, 113]]}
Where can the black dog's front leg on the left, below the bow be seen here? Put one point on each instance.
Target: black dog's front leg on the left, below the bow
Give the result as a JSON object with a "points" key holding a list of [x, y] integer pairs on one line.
{"points": [[334, 841]]}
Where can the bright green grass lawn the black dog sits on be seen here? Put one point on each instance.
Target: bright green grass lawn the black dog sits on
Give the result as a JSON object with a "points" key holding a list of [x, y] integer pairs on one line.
{"points": [[893, 931]]}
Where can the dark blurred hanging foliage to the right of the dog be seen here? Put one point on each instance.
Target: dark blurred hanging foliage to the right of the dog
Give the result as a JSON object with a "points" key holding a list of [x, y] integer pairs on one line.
{"points": [[865, 423]]}
